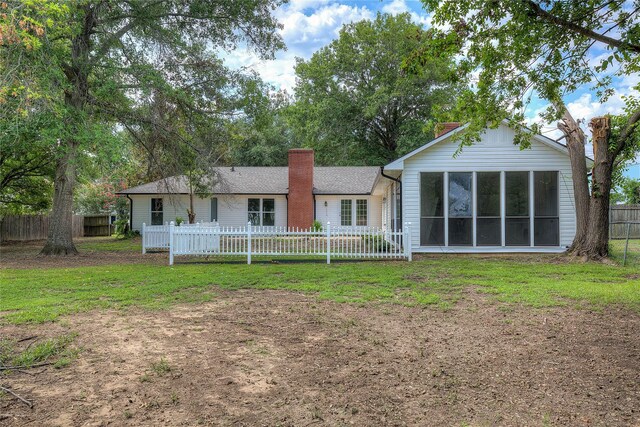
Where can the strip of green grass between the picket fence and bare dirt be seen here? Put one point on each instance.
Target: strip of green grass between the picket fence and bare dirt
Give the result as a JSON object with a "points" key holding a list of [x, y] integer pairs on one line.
{"points": [[40, 295]]}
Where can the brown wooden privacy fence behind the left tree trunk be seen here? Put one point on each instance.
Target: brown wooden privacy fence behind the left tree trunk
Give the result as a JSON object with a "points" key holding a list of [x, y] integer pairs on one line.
{"points": [[33, 227]]}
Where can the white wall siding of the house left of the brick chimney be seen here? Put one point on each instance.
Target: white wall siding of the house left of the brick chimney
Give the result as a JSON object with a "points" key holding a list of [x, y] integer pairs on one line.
{"points": [[232, 209]]}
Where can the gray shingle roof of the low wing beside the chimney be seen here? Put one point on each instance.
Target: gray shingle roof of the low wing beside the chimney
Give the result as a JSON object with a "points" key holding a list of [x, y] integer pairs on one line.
{"points": [[270, 180]]}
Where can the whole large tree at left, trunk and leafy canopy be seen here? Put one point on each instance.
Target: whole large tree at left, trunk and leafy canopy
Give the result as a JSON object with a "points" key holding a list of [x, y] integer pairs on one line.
{"points": [[91, 62]]}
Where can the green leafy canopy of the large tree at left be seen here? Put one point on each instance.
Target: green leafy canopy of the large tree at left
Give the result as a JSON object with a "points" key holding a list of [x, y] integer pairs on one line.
{"points": [[92, 74]]}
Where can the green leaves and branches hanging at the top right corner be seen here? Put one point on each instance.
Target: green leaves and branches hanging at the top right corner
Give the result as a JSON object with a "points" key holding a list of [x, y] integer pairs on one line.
{"points": [[518, 50]]}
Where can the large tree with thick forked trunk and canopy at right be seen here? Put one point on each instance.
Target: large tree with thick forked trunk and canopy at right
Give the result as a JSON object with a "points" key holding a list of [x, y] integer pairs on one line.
{"points": [[520, 49]]}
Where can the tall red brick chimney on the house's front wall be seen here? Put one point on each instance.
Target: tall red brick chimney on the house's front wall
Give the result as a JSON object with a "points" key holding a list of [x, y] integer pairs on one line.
{"points": [[300, 203]]}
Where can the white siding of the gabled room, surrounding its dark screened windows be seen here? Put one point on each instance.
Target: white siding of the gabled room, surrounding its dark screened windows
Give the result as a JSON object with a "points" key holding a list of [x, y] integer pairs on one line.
{"points": [[495, 152]]}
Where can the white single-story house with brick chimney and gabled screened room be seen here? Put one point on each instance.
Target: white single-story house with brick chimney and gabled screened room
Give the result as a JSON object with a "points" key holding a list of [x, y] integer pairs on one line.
{"points": [[491, 197]]}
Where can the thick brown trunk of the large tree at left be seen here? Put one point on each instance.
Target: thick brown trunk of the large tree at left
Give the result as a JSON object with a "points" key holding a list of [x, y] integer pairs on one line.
{"points": [[60, 238]]}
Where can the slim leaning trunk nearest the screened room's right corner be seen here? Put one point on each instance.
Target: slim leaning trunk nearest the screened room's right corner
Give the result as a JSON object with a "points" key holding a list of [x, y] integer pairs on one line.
{"points": [[575, 145]]}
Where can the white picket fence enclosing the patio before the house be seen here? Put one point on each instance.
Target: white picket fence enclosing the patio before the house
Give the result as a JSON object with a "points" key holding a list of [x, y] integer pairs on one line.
{"points": [[332, 242]]}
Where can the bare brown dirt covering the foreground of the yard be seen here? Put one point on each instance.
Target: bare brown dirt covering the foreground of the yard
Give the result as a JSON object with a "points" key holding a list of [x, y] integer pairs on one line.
{"points": [[280, 358]]}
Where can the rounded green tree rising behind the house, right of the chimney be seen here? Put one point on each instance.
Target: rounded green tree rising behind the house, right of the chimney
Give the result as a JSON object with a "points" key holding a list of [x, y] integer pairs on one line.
{"points": [[355, 105]]}
